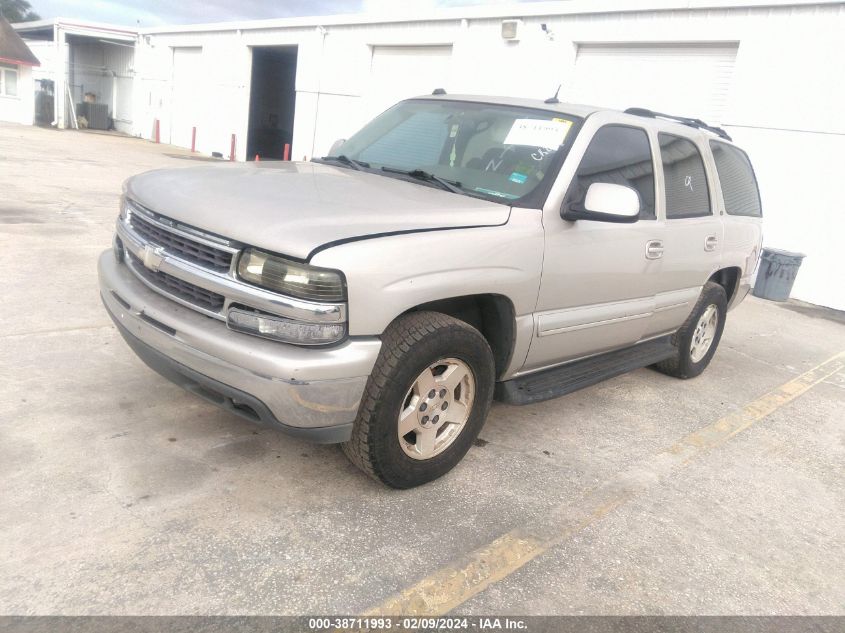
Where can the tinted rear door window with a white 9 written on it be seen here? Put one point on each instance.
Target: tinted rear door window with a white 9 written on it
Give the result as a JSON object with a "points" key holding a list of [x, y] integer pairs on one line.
{"points": [[686, 180]]}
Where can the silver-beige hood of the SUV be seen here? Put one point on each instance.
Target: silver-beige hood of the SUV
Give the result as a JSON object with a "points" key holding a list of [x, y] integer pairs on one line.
{"points": [[295, 208]]}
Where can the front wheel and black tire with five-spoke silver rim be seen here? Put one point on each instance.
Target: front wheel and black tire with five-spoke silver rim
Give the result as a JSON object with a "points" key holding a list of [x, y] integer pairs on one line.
{"points": [[425, 402]]}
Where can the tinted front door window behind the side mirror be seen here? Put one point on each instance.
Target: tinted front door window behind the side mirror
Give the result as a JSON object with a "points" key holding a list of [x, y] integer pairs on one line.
{"points": [[618, 155]]}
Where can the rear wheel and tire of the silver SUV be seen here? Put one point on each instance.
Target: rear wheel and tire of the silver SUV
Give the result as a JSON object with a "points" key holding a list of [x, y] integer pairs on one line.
{"points": [[697, 339]]}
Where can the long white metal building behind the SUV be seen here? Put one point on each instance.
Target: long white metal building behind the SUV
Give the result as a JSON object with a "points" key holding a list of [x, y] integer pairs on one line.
{"points": [[769, 71]]}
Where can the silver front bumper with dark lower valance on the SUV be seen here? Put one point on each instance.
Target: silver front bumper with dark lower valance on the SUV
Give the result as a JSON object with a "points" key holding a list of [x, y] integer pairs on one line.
{"points": [[309, 392]]}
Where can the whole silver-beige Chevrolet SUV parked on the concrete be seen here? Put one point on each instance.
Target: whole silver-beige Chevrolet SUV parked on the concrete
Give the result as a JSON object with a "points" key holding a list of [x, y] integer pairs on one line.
{"points": [[454, 250]]}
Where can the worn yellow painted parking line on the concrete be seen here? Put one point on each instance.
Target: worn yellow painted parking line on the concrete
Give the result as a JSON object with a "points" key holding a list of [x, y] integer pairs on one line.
{"points": [[453, 585]]}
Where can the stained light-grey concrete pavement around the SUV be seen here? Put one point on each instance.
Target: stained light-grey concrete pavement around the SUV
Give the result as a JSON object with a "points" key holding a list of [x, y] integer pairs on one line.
{"points": [[122, 494]]}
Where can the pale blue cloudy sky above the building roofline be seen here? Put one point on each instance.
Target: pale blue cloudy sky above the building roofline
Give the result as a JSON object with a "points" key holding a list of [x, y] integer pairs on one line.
{"points": [[155, 12]]}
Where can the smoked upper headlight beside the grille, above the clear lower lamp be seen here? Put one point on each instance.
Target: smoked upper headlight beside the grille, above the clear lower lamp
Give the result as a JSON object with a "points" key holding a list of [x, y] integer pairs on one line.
{"points": [[290, 278]]}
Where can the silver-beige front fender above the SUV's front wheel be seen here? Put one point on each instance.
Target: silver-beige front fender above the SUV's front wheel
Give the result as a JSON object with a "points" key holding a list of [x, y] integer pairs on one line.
{"points": [[390, 275]]}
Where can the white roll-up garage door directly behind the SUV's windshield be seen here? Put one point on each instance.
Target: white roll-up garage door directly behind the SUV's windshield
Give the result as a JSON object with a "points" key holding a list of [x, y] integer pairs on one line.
{"points": [[399, 72]]}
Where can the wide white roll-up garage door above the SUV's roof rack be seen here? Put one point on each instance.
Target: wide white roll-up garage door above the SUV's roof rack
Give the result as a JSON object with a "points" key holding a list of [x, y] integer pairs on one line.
{"points": [[684, 79]]}
